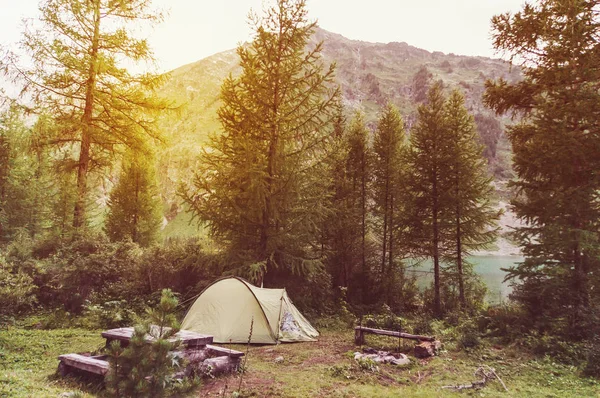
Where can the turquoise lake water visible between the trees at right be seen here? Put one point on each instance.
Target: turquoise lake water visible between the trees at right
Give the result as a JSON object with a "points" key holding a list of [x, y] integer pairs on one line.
{"points": [[489, 267]]}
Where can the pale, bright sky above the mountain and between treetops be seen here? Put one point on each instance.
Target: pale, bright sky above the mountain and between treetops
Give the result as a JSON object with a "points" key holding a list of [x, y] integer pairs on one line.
{"points": [[195, 29]]}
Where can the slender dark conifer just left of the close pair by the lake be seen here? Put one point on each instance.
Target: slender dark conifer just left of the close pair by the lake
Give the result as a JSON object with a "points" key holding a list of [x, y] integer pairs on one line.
{"points": [[389, 148]]}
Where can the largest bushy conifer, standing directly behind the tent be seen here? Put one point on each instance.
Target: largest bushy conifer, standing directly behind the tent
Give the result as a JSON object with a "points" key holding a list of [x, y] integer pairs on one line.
{"points": [[259, 189]]}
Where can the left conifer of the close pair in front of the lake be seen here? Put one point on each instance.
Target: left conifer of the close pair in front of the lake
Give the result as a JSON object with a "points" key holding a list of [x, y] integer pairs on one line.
{"points": [[429, 161]]}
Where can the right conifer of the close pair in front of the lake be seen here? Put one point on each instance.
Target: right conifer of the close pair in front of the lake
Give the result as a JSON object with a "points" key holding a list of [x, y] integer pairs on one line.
{"points": [[471, 190]]}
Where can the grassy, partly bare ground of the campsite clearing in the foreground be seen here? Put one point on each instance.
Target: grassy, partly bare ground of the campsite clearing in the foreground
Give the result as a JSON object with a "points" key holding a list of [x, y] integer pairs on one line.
{"points": [[322, 369]]}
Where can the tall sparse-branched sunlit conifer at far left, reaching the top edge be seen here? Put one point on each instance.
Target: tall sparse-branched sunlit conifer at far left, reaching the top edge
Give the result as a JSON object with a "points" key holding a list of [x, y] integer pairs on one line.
{"points": [[77, 77]]}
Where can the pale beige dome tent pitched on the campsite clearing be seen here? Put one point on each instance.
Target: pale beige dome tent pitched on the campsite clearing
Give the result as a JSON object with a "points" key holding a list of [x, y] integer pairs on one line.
{"points": [[226, 308]]}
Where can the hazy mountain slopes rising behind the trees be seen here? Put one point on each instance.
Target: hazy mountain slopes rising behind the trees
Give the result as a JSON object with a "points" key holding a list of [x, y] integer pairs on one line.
{"points": [[369, 74]]}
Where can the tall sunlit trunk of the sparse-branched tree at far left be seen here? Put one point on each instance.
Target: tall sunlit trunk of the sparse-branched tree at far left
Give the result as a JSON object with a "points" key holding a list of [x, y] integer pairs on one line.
{"points": [[79, 215]]}
